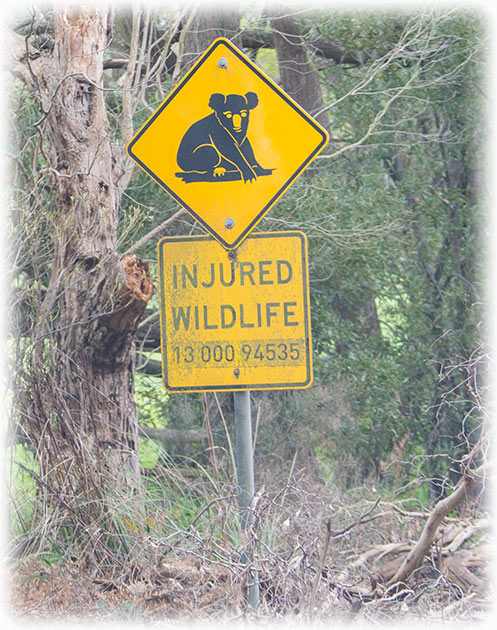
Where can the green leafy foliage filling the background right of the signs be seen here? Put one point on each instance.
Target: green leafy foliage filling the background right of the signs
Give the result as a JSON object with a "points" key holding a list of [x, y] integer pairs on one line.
{"points": [[393, 225]]}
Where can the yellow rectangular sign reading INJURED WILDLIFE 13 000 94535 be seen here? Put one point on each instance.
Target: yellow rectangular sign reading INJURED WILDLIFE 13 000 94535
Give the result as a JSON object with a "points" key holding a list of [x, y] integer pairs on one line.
{"points": [[235, 320]]}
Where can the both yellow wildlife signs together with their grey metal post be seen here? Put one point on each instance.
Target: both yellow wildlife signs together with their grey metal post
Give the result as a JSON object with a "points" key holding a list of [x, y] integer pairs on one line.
{"points": [[226, 144]]}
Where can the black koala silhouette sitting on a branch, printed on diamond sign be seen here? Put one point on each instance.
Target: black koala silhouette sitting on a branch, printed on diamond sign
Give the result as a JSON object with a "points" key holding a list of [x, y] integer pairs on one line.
{"points": [[216, 148]]}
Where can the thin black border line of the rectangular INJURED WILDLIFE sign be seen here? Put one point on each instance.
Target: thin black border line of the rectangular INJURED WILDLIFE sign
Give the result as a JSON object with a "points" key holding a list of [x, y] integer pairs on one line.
{"points": [[307, 324]]}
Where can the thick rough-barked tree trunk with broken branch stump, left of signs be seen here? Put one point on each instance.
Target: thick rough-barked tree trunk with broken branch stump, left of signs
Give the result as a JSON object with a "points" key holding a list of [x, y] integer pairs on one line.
{"points": [[80, 414]]}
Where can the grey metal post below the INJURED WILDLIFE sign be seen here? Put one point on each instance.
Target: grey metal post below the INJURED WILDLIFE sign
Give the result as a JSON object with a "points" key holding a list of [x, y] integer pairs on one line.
{"points": [[246, 488]]}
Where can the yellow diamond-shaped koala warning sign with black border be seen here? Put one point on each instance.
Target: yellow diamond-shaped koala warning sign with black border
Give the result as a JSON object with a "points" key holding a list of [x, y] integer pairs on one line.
{"points": [[226, 143]]}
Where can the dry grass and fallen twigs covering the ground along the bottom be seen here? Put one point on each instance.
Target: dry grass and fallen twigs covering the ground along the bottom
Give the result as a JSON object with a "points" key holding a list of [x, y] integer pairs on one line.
{"points": [[320, 555]]}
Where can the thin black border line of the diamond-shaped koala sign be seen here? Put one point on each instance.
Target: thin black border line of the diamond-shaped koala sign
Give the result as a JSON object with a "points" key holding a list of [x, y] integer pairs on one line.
{"points": [[210, 51]]}
